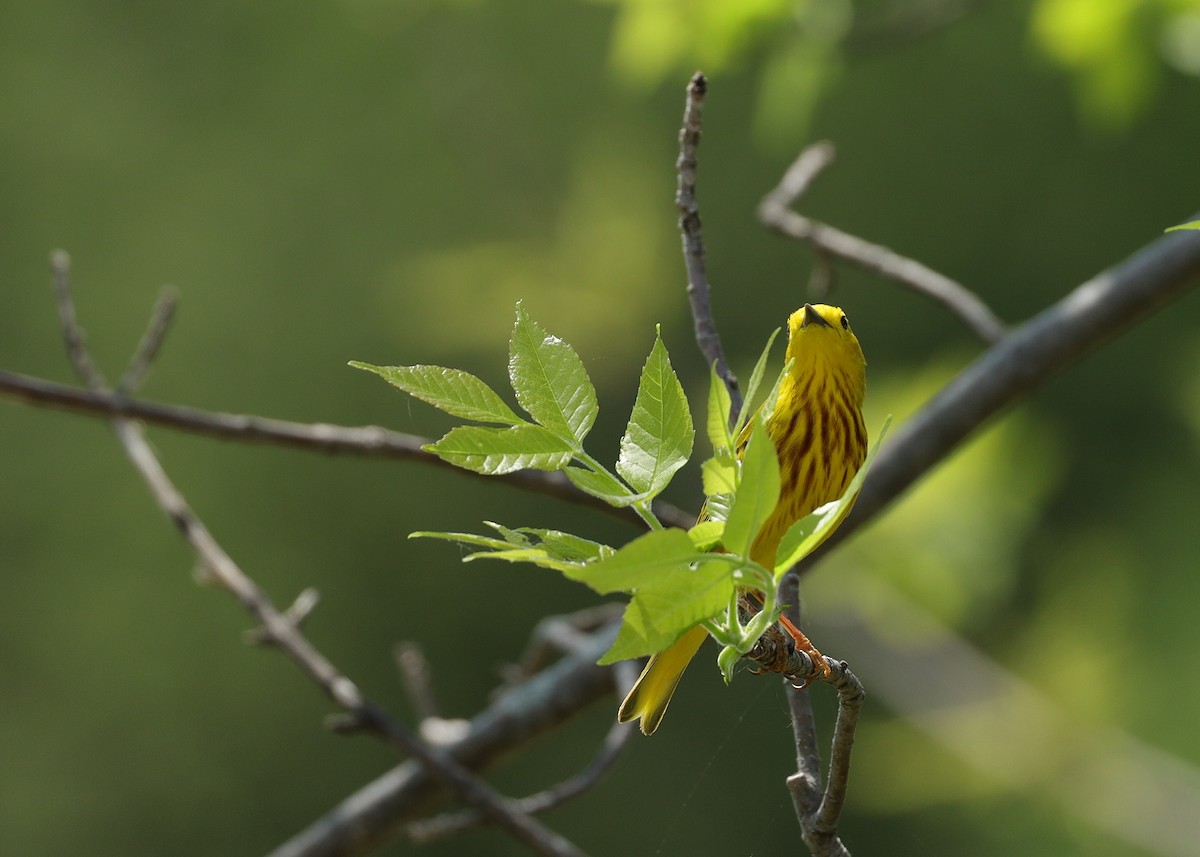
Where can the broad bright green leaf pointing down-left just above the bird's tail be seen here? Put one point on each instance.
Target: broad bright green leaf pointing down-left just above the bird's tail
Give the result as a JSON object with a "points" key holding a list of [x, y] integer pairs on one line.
{"points": [[661, 613]]}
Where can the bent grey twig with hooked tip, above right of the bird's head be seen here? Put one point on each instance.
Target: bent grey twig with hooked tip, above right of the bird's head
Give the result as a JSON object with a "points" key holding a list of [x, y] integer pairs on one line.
{"points": [[776, 212]]}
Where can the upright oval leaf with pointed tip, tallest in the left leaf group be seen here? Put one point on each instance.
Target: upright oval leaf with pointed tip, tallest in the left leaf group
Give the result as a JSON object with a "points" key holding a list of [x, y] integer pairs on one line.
{"points": [[550, 381]]}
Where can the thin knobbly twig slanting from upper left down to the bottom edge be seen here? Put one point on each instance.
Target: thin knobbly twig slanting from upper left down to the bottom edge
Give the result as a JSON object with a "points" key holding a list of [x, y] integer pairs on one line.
{"points": [[283, 631]]}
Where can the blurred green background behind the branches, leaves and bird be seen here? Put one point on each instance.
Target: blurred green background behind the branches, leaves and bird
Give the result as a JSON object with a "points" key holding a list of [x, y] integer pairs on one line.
{"points": [[382, 182]]}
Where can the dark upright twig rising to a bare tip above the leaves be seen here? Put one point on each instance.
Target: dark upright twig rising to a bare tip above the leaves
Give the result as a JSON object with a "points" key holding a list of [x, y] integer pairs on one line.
{"points": [[707, 338]]}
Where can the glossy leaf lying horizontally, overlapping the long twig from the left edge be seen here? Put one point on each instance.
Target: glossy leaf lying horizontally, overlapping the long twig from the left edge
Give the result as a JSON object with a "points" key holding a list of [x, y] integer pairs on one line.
{"points": [[494, 452]]}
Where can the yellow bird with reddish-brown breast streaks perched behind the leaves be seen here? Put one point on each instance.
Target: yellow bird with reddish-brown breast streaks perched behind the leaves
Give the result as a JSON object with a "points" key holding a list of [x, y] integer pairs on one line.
{"points": [[821, 442]]}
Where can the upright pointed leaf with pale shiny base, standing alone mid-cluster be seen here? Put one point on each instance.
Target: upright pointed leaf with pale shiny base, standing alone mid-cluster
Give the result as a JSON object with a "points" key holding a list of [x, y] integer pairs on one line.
{"points": [[659, 436]]}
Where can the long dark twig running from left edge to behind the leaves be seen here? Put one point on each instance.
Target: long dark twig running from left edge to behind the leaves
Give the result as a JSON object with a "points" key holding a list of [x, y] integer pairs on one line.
{"points": [[321, 438]]}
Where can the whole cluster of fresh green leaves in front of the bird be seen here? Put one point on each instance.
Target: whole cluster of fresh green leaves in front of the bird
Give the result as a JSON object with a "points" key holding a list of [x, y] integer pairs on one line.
{"points": [[677, 579]]}
